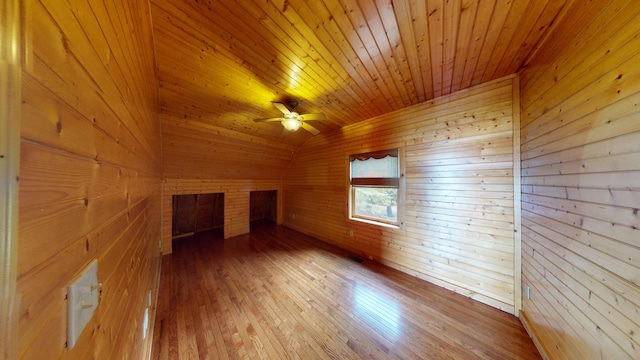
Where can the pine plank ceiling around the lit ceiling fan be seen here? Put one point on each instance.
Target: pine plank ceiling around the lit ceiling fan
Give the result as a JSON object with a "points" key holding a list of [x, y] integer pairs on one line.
{"points": [[223, 62]]}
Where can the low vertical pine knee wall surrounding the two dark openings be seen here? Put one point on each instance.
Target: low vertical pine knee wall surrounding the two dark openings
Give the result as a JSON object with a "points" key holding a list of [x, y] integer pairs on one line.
{"points": [[236, 202]]}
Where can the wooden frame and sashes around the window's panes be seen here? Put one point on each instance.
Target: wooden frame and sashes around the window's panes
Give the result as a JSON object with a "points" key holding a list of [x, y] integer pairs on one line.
{"points": [[378, 183]]}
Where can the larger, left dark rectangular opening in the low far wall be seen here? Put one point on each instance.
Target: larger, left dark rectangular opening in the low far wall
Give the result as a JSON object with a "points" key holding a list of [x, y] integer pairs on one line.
{"points": [[195, 213]]}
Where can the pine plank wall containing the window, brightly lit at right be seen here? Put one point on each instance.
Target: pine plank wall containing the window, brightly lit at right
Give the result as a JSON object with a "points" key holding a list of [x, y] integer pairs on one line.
{"points": [[459, 229]]}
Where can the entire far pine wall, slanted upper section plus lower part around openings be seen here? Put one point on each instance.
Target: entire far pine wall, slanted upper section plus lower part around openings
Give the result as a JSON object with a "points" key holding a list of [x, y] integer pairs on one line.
{"points": [[199, 159]]}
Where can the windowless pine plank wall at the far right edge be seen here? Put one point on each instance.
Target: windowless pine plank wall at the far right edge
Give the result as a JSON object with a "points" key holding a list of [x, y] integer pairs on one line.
{"points": [[581, 186]]}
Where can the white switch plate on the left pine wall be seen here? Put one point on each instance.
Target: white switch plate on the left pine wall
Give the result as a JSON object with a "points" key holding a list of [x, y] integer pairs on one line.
{"points": [[83, 296]]}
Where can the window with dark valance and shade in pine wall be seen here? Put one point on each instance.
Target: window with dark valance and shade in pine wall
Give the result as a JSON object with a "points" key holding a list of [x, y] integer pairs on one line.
{"points": [[375, 186]]}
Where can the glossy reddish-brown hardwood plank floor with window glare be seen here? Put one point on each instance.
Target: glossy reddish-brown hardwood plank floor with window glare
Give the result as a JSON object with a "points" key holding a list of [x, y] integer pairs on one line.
{"points": [[278, 294]]}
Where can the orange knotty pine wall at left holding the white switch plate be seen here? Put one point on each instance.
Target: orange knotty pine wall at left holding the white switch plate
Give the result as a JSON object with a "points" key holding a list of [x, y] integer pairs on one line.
{"points": [[90, 185]]}
